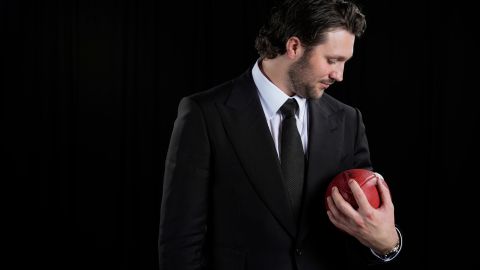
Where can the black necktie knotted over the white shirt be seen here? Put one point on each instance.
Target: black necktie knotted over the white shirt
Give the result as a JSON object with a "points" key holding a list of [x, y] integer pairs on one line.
{"points": [[291, 155]]}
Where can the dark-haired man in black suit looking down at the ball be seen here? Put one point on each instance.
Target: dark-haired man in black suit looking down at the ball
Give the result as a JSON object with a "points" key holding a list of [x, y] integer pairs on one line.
{"points": [[245, 190]]}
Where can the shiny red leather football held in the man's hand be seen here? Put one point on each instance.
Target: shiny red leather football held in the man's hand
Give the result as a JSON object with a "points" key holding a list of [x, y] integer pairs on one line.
{"points": [[365, 178]]}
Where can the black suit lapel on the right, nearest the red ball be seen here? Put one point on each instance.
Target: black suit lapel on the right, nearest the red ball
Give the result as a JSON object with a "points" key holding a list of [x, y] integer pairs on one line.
{"points": [[323, 148]]}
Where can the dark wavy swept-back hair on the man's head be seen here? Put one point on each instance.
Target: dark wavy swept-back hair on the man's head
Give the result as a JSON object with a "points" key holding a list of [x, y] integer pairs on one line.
{"points": [[308, 20]]}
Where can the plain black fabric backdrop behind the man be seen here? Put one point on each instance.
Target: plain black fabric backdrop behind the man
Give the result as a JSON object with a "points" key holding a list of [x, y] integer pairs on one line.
{"points": [[90, 90]]}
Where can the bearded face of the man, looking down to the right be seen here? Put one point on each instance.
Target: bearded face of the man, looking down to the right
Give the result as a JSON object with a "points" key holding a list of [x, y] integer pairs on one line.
{"points": [[323, 65]]}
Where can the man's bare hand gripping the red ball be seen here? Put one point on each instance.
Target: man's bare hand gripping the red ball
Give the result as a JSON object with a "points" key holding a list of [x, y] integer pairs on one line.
{"points": [[374, 228]]}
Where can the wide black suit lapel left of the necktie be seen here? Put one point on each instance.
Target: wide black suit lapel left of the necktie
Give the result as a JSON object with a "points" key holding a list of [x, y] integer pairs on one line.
{"points": [[245, 124]]}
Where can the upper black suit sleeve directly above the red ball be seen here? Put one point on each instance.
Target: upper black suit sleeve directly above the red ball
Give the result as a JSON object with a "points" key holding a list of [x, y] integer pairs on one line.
{"points": [[361, 150]]}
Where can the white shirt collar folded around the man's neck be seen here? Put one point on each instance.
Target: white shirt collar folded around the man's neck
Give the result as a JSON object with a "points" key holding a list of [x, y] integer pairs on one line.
{"points": [[271, 96]]}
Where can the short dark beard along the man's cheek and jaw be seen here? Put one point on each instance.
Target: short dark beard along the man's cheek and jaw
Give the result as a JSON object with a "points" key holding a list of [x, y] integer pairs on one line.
{"points": [[298, 75]]}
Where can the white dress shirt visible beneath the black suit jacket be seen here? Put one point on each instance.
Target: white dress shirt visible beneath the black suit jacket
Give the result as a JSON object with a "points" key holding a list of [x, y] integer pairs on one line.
{"points": [[272, 98]]}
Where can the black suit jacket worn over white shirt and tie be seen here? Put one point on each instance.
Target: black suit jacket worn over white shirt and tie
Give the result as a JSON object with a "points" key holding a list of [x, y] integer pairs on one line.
{"points": [[224, 205]]}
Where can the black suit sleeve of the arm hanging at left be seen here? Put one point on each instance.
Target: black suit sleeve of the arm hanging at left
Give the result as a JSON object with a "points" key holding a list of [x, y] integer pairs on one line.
{"points": [[184, 208]]}
